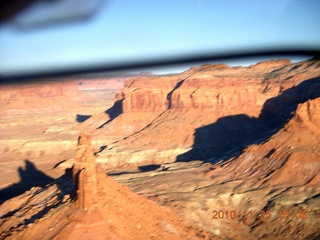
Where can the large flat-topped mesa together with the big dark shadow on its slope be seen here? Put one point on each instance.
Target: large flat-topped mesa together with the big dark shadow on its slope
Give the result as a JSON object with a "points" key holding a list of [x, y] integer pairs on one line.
{"points": [[207, 112]]}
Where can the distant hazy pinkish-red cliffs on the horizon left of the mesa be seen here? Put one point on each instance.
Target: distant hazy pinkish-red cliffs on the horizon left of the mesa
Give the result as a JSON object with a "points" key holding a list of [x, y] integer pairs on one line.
{"points": [[54, 94]]}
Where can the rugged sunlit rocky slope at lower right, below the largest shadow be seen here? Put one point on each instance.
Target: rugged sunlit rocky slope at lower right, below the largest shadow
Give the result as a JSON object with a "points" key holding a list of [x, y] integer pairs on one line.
{"points": [[277, 181]]}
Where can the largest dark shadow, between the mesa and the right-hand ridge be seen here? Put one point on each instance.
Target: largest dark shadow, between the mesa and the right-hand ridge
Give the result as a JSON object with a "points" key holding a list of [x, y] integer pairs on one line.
{"points": [[230, 135]]}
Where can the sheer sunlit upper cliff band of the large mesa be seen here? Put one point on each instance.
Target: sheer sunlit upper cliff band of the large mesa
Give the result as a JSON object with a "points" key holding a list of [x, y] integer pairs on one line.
{"points": [[215, 87]]}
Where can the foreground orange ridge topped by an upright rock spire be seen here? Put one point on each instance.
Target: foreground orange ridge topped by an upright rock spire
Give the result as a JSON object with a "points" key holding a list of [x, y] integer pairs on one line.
{"points": [[103, 210]]}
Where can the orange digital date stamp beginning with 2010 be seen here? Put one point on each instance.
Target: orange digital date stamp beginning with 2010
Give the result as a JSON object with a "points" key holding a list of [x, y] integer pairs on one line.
{"points": [[263, 214]]}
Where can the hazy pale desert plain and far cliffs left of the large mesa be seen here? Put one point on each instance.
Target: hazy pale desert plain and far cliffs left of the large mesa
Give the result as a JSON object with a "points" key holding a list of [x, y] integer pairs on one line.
{"points": [[38, 120]]}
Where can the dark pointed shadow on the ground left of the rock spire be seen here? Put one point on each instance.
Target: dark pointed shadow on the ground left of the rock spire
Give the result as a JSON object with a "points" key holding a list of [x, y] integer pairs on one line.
{"points": [[30, 177]]}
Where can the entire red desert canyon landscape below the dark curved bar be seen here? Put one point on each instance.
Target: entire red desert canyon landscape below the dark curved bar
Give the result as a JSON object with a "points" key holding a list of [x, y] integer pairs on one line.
{"points": [[216, 152]]}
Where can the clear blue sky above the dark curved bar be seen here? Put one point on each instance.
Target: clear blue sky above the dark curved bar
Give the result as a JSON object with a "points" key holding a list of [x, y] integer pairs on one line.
{"points": [[126, 30]]}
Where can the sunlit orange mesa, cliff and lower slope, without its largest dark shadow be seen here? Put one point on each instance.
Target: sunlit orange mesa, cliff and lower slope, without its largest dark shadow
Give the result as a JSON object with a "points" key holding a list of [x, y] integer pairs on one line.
{"points": [[161, 113]]}
